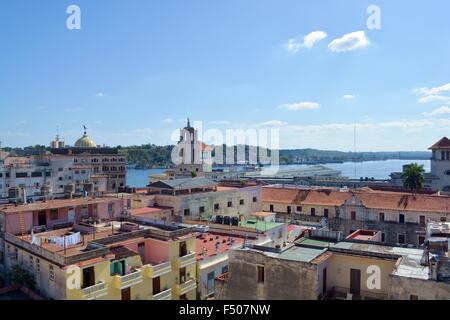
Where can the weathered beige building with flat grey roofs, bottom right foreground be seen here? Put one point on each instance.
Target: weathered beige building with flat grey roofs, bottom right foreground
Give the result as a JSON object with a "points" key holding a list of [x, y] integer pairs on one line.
{"points": [[322, 267]]}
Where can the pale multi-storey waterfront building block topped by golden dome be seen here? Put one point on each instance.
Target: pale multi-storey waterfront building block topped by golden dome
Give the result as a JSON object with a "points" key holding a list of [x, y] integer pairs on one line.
{"points": [[83, 168]]}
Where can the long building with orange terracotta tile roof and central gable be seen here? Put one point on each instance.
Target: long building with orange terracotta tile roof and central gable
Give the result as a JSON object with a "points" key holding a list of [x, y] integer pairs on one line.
{"points": [[400, 216]]}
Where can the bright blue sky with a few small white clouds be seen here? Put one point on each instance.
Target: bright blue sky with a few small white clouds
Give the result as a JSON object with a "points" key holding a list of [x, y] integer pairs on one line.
{"points": [[137, 69]]}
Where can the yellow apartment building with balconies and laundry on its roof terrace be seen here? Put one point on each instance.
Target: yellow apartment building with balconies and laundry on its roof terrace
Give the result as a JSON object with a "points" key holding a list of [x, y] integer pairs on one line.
{"points": [[108, 261]]}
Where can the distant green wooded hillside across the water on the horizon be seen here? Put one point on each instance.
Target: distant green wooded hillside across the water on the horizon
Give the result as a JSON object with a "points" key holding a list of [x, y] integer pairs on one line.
{"points": [[153, 156]]}
